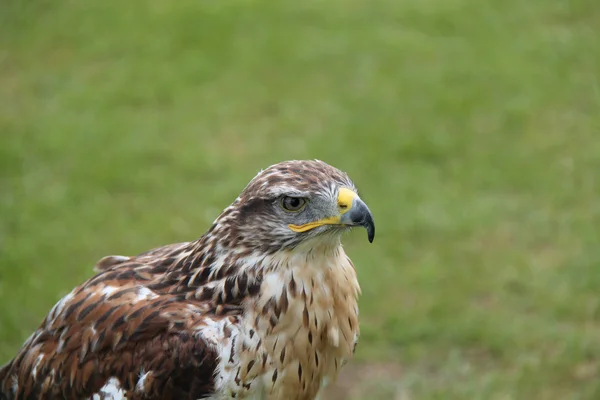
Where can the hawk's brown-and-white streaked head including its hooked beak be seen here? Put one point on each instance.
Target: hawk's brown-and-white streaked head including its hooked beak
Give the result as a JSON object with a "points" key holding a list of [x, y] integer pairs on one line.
{"points": [[293, 202]]}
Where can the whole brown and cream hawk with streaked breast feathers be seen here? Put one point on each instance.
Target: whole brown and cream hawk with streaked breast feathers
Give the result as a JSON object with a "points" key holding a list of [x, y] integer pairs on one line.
{"points": [[262, 306]]}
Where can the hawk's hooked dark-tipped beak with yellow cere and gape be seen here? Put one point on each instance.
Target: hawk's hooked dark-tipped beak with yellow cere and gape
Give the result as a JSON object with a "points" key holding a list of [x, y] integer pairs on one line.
{"points": [[352, 212]]}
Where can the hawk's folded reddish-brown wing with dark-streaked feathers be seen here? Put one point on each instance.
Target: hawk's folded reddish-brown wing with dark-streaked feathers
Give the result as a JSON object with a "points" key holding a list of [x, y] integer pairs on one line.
{"points": [[113, 326]]}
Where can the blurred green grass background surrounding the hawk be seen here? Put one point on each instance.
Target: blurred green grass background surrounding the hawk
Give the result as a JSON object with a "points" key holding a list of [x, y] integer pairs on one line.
{"points": [[470, 126]]}
